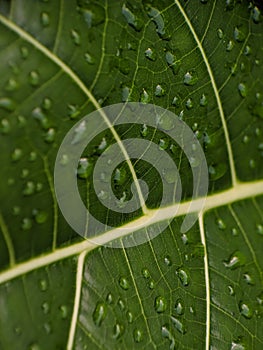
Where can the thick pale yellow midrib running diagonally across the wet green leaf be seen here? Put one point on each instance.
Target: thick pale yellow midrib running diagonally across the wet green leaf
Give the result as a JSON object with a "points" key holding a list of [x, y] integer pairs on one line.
{"points": [[240, 192]]}
